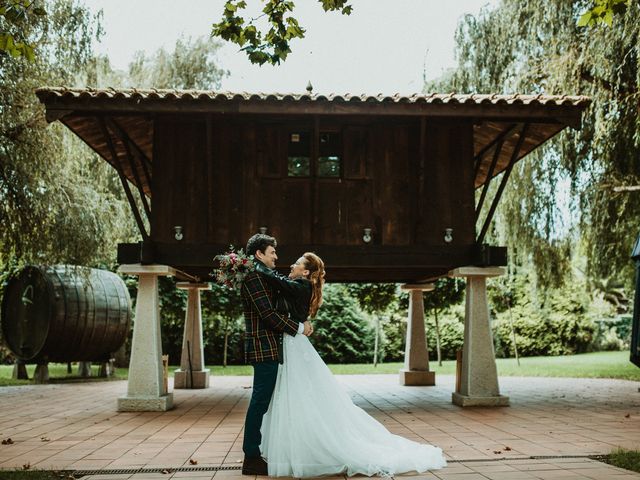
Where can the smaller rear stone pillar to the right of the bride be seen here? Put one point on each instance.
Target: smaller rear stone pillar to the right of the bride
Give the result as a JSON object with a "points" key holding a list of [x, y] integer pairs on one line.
{"points": [[416, 355]]}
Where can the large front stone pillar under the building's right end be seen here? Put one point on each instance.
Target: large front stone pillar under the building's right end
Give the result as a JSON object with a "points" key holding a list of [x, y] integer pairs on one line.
{"points": [[479, 382]]}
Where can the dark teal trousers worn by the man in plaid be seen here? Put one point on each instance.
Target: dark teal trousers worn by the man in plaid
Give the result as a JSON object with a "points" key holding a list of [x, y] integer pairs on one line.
{"points": [[264, 382]]}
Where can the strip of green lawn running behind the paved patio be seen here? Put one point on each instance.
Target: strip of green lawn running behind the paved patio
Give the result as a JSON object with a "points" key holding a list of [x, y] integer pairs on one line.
{"points": [[586, 365]]}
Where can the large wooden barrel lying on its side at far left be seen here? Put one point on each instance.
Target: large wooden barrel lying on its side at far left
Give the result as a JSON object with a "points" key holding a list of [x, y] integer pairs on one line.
{"points": [[65, 313]]}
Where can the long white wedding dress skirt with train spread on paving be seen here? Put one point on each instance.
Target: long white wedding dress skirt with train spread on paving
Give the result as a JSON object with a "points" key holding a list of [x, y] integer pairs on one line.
{"points": [[312, 427]]}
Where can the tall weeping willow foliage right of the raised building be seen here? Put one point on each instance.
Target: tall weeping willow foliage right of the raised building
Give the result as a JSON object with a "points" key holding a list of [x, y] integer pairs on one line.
{"points": [[578, 189]]}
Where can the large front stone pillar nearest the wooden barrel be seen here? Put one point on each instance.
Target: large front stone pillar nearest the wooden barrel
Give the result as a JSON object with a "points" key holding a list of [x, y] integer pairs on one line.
{"points": [[145, 387]]}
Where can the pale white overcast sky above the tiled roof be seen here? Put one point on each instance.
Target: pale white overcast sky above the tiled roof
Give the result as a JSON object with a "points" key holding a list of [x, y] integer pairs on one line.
{"points": [[384, 46]]}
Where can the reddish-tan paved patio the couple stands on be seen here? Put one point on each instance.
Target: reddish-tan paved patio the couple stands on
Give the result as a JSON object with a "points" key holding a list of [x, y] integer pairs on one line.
{"points": [[558, 420]]}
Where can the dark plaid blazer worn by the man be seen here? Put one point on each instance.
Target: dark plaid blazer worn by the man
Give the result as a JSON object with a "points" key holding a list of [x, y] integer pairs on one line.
{"points": [[264, 326]]}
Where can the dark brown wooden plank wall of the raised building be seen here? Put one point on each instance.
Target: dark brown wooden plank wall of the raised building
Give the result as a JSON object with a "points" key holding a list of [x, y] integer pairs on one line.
{"points": [[222, 178]]}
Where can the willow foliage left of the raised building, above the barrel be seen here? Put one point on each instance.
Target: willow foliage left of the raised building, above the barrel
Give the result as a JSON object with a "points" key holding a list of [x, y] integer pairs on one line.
{"points": [[58, 202]]}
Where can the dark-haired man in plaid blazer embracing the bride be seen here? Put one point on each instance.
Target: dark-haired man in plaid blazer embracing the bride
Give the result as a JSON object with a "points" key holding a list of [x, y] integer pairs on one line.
{"points": [[262, 346]]}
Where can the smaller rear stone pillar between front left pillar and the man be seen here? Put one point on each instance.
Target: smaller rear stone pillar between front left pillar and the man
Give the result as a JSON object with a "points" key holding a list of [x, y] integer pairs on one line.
{"points": [[192, 375]]}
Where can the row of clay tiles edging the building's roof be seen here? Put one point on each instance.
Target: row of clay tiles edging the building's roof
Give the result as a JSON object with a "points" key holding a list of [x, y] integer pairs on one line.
{"points": [[432, 98]]}
